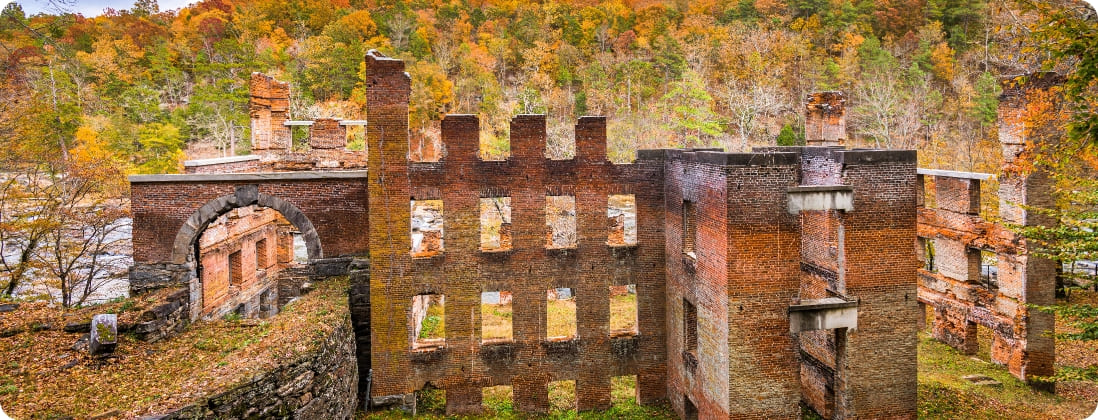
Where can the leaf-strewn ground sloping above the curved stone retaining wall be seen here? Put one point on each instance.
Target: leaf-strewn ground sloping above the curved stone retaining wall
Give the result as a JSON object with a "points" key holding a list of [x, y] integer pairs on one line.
{"points": [[43, 378]]}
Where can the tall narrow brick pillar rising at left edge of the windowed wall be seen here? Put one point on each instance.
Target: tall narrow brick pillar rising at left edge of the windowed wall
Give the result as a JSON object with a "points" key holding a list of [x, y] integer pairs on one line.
{"points": [[388, 89]]}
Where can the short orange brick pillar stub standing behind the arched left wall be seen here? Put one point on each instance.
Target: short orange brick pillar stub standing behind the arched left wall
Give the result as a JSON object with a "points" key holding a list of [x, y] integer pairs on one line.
{"points": [[270, 107]]}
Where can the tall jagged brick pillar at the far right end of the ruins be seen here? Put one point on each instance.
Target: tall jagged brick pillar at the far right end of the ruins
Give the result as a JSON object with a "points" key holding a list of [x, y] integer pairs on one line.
{"points": [[1022, 187]]}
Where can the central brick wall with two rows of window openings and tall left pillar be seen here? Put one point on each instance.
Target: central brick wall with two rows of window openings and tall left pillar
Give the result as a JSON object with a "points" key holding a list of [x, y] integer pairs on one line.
{"points": [[462, 273]]}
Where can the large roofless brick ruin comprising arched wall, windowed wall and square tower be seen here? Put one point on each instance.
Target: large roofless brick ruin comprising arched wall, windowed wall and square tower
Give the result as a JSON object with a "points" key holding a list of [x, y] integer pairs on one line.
{"points": [[764, 281]]}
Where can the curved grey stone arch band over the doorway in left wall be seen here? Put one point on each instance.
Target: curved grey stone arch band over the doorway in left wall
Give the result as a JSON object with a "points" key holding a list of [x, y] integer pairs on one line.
{"points": [[244, 197]]}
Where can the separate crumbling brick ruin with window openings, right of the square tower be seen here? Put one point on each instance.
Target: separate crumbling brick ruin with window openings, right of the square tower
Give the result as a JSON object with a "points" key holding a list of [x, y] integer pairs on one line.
{"points": [[978, 273]]}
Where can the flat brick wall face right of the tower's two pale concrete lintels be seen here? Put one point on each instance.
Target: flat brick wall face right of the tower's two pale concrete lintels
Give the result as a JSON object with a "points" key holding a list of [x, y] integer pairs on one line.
{"points": [[878, 376]]}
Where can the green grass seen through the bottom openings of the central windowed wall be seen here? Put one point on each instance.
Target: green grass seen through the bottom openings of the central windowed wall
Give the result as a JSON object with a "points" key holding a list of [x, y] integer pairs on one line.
{"points": [[499, 404]]}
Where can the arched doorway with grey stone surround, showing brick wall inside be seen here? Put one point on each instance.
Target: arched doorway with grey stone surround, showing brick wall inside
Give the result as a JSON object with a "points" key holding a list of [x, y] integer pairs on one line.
{"points": [[239, 259]]}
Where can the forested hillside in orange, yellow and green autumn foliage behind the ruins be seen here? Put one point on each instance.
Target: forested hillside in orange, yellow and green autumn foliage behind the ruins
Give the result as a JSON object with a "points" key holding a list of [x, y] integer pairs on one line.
{"points": [[139, 87]]}
